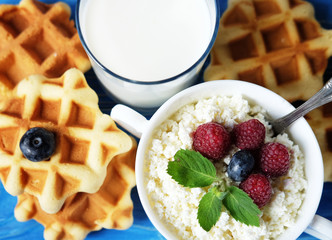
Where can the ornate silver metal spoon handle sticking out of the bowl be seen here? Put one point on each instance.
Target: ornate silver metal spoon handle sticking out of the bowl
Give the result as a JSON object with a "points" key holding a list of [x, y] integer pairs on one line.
{"points": [[320, 98]]}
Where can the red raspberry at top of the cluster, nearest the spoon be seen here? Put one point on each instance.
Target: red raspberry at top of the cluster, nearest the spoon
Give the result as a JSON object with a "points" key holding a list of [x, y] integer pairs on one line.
{"points": [[249, 135]]}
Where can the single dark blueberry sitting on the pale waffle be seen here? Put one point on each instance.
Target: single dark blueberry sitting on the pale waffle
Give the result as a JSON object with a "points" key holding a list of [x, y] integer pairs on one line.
{"points": [[37, 144]]}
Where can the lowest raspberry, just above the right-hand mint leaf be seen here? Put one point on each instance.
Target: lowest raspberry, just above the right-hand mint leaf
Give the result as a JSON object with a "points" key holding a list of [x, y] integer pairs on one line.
{"points": [[258, 187]]}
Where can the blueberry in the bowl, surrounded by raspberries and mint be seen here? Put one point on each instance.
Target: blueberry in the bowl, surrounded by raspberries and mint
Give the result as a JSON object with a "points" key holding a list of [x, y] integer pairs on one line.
{"points": [[240, 166]]}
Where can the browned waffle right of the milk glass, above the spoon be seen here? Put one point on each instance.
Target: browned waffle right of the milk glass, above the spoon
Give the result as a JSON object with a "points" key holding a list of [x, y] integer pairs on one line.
{"points": [[274, 43]]}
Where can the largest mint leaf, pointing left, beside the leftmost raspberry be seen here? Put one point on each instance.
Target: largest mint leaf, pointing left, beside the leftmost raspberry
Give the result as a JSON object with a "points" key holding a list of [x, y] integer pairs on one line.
{"points": [[191, 169]]}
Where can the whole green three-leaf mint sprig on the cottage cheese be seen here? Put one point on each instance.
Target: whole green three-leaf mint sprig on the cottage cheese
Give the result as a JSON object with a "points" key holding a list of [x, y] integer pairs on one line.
{"points": [[191, 169]]}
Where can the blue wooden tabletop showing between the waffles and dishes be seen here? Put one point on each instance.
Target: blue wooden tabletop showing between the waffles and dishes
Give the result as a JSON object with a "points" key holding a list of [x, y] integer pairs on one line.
{"points": [[142, 227]]}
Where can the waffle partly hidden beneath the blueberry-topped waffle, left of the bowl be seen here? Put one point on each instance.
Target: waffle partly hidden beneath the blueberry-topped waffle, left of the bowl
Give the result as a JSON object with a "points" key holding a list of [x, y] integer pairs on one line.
{"points": [[110, 207]]}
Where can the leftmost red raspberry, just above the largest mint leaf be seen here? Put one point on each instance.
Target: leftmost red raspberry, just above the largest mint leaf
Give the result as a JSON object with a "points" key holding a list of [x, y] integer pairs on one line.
{"points": [[212, 140]]}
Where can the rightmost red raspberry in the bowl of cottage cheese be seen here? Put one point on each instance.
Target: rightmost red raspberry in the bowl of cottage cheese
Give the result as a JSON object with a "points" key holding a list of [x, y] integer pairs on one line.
{"points": [[274, 159]]}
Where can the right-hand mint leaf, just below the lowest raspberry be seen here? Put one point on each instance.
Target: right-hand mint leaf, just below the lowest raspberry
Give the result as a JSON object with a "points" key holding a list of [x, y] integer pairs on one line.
{"points": [[241, 206]]}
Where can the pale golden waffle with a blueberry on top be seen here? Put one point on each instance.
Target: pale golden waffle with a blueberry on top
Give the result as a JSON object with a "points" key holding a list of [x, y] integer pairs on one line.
{"points": [[86, 139]]}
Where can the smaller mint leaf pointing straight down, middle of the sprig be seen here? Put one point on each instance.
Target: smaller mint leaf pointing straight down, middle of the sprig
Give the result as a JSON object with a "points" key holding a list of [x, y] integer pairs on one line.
{"points": [[209, 208]]}
